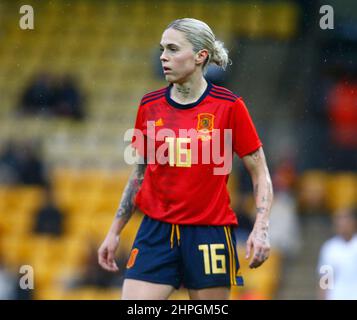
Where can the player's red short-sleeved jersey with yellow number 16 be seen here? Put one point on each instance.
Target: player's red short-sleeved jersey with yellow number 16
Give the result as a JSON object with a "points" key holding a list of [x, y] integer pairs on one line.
{"points": [[185, 189]]}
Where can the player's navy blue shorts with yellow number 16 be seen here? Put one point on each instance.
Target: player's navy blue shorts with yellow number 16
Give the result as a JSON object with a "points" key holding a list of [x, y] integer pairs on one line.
{"points": [[193, 256]]}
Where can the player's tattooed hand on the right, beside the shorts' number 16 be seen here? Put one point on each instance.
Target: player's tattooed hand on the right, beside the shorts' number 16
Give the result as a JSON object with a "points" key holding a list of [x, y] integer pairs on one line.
{"points": [[258, 241]]}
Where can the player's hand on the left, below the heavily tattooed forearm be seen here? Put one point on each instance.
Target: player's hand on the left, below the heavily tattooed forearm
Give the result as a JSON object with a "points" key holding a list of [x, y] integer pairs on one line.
{"points": [[106, 252]]}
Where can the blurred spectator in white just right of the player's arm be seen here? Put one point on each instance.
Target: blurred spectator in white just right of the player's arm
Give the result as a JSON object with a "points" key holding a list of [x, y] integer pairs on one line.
{"points": [[284, 223]]}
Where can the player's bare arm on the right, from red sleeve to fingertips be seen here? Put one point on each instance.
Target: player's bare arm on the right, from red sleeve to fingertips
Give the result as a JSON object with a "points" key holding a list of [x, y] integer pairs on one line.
{"points": [[263, 195]]}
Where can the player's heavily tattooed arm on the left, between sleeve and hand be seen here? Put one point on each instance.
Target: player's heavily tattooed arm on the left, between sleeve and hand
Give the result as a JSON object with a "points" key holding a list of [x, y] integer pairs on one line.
{"points": [[127, 205]]}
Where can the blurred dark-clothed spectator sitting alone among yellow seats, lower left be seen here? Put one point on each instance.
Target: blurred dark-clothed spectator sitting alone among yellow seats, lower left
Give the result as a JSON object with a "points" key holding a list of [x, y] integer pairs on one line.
{"points": [[49, 218]]}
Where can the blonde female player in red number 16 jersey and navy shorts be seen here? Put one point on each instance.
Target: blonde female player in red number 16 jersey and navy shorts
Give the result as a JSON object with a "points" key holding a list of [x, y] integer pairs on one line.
{"points": [[186, 235]]}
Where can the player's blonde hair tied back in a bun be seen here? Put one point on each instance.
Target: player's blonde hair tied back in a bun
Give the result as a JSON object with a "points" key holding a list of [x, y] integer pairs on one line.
{"points": [[200, 35]]}
